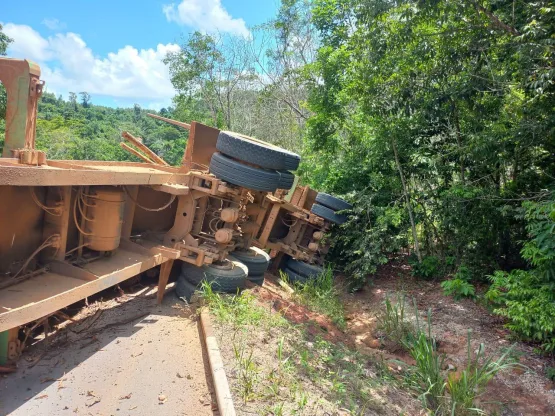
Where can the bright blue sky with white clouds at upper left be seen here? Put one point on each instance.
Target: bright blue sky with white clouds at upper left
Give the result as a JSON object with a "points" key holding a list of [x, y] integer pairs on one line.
{"points": [[113, 49]]}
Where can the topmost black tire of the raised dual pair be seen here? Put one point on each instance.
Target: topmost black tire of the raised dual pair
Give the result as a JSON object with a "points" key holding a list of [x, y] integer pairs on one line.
{"points": [[256, 152]]}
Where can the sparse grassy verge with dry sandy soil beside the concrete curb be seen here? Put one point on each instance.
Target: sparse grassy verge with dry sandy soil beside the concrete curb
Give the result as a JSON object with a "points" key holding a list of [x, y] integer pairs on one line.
{"points": [[278, 368]]}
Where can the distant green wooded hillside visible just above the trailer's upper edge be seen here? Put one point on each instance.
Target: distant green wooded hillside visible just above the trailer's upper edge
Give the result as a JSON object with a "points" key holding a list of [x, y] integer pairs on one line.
{"points": [[84, 131]]}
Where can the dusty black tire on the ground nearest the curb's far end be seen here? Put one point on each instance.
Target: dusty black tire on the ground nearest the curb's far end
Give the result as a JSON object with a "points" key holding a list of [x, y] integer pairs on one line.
{"points": [[222, 280]]}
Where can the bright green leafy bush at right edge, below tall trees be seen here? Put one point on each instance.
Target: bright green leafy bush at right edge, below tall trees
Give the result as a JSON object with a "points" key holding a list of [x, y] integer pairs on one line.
{"points": [[527, 297]]}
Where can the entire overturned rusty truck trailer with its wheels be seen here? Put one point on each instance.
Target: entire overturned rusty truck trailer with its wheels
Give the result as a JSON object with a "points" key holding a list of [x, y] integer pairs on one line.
{"points": [[70, 229]]}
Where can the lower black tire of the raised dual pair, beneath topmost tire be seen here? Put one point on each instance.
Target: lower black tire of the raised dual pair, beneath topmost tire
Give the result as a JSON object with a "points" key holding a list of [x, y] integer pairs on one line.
{"points": [[246, 176]]}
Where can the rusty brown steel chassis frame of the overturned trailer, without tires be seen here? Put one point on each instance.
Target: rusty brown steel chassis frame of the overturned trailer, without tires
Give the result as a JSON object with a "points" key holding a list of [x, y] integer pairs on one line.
{"points": [[63, 281]]}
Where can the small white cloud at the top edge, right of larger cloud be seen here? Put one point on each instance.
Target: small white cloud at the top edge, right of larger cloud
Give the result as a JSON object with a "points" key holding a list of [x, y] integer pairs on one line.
{"points": [[206, 16]]}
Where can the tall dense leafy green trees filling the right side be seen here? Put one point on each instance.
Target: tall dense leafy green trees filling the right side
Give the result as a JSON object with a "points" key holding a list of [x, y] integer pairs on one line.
{"points": [[464, 93]]}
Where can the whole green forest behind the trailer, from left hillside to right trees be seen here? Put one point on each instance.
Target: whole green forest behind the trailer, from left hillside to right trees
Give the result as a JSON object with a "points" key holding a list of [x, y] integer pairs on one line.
{"points": [[435, 118]]}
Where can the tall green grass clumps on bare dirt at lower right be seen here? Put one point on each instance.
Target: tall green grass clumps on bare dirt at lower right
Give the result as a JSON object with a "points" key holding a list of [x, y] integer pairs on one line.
{"points": [[442, 389]]}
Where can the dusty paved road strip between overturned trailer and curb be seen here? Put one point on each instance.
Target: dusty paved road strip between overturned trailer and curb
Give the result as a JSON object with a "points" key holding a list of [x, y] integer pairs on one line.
{"points": [[154, 364]]}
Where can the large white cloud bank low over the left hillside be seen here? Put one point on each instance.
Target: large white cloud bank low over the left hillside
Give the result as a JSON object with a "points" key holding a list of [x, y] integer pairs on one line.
{"points": [[68, 64]]}
